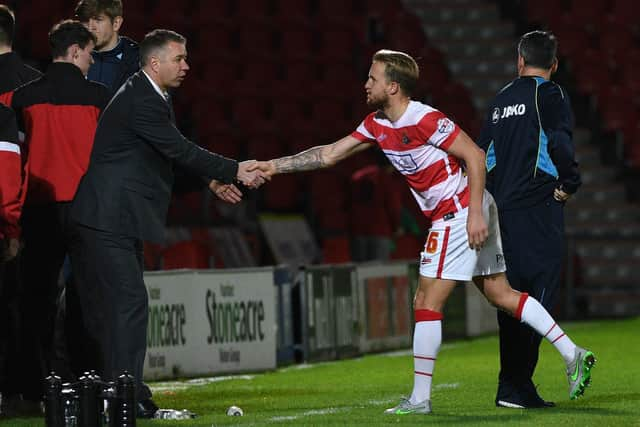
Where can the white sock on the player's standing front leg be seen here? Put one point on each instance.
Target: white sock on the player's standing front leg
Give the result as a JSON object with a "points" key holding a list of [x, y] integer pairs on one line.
{"points": [[426, 343]]}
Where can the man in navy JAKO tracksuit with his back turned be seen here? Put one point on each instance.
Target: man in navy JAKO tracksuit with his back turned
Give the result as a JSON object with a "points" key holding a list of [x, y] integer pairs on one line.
{"points": [[531, 172]]}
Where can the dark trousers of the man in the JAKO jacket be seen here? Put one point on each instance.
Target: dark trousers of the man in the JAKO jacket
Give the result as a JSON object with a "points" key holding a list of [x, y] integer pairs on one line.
{"points": [[533, 243]]}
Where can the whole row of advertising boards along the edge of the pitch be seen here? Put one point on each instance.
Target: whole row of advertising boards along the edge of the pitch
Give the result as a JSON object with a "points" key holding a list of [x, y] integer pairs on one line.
{"points": [[204, 322]]}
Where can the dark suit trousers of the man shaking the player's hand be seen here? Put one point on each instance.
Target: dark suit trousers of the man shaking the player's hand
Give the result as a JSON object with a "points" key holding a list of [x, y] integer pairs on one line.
{"points": [[113, 299]]}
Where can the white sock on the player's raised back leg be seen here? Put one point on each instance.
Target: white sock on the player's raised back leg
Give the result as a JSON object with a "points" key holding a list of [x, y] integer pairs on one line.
{"points": [[535, 315]]}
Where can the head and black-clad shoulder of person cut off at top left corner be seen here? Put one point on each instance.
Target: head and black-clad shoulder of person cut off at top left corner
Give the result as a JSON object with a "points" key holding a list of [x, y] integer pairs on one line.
{"points": [[14, 72]]}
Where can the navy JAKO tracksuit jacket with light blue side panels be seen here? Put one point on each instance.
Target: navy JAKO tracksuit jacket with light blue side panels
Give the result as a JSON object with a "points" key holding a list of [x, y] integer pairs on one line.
{"points": [[526, 161]]}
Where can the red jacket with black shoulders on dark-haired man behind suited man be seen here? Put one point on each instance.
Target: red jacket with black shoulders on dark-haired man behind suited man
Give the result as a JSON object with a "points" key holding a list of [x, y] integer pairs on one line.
{"points": [[59, 114]]}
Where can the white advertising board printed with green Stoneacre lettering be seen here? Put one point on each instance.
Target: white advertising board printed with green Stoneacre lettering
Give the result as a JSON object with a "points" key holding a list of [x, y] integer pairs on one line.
{"points": [[210, 321]]}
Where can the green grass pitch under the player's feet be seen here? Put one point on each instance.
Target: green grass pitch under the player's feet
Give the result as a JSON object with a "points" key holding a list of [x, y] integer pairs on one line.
{"points": [[355, 392]]}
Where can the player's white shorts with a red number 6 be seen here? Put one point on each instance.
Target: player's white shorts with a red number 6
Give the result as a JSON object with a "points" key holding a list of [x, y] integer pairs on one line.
{"points": [[447, 254]]}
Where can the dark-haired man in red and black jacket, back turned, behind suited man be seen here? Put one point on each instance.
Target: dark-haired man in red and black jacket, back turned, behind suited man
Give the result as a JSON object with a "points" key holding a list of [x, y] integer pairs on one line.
{"points": [[59, 113]]}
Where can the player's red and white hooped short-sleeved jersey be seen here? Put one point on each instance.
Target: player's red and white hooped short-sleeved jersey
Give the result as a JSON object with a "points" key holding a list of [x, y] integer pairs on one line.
{"points": [[416, 146]]}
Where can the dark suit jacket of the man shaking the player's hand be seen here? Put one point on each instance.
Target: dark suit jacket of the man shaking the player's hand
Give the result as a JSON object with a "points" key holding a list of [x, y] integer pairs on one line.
{"points": [[127, 188]]}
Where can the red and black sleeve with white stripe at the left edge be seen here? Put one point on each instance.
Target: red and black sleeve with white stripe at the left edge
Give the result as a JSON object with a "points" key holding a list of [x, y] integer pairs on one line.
{"points": [[11, 176]]}
